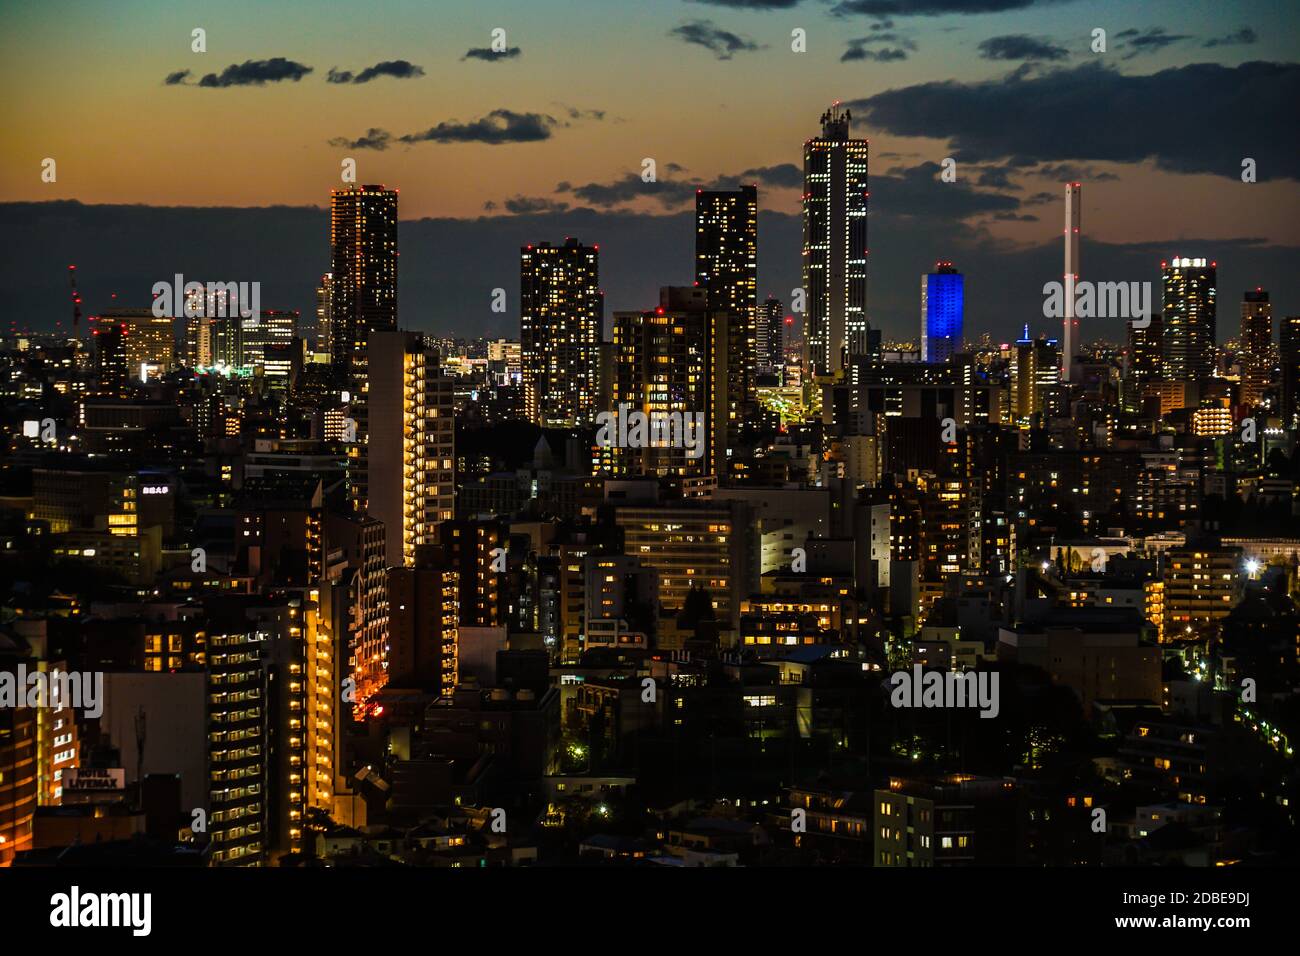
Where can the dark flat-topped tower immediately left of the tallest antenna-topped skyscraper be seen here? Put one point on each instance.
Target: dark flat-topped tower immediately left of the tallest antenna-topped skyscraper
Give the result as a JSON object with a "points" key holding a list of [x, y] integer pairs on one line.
{"points": [[727, 266]]}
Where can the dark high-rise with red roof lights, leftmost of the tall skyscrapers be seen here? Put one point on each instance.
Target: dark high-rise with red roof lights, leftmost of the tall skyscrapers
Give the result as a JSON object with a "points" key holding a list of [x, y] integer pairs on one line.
{"points": [[365, 271]]}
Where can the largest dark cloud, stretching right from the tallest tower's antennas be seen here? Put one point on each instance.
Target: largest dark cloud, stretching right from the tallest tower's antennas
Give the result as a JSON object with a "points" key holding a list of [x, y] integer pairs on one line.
{"points": [[1197, 119]]}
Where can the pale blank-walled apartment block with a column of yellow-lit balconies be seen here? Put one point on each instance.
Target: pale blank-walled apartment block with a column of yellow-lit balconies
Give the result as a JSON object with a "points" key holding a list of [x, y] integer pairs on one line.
{"points": [[411, 448]]}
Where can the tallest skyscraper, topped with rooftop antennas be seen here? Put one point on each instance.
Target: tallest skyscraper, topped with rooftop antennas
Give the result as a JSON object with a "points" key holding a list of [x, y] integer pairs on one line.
{"points": [[835, 244]]}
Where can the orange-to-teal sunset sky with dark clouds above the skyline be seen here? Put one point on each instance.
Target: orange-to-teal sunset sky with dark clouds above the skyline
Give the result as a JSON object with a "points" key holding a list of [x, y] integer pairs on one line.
{"points": [[1156, 128]]}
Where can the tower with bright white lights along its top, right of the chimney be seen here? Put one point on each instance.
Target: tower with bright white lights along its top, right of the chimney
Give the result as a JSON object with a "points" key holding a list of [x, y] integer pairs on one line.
{"points": [[1190, 318]]}
